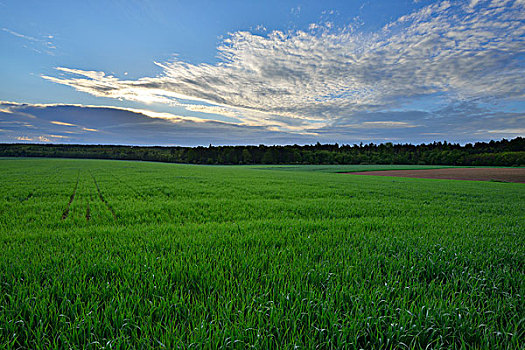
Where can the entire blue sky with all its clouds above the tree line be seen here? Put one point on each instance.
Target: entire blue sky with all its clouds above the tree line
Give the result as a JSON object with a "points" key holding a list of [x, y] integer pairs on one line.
{"points": [[191, 73]]}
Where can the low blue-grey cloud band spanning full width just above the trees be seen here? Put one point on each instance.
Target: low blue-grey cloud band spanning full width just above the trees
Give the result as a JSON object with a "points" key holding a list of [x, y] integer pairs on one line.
{"points": [[462, 122]]}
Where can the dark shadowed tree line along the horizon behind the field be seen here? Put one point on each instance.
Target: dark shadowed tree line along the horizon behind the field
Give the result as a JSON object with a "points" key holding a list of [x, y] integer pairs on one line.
{"points": [[499, 153]]}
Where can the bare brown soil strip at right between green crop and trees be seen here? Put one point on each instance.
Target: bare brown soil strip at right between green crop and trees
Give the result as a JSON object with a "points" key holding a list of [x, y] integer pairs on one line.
{"points": [[473, 174]]}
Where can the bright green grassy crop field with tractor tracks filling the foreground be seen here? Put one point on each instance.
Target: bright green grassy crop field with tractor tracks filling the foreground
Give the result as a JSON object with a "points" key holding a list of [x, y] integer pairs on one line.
{"points": [[115, 254]]}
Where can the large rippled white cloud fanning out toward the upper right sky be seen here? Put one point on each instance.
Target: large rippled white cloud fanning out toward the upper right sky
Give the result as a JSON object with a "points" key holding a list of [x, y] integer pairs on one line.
{"points": [[297, 79]]}
